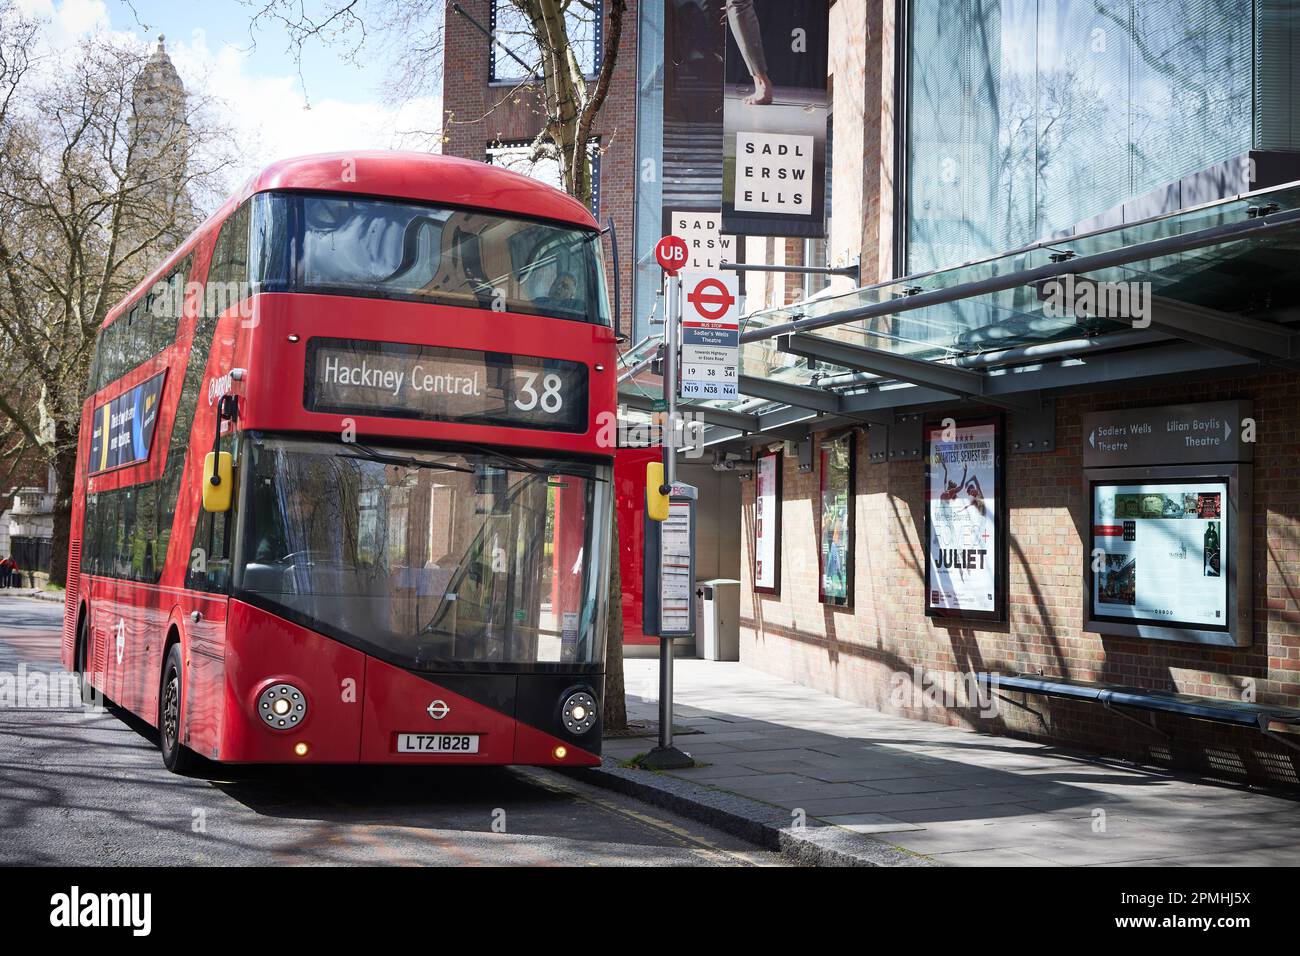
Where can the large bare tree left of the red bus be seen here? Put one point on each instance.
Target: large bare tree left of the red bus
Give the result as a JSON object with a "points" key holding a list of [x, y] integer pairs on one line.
{"points": [[92, 198]]}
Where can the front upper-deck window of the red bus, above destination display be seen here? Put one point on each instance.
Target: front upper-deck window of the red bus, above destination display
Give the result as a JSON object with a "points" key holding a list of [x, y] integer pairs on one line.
{"points": [[448, 257]]}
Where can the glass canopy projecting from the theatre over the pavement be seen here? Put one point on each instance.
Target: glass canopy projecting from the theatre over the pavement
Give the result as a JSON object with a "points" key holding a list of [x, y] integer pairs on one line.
{"points": [[1243, 258]]}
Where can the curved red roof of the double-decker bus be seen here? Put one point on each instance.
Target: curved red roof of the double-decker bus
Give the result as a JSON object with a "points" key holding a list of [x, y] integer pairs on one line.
{"points": [[423, 178]]}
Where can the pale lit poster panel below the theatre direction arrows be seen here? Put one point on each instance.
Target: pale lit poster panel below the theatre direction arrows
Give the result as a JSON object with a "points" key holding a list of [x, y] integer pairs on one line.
{"points": [[1162, 553]]}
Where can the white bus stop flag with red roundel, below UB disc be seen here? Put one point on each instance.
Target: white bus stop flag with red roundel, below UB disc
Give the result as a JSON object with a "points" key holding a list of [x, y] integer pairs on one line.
{"points": [[710, 335]]}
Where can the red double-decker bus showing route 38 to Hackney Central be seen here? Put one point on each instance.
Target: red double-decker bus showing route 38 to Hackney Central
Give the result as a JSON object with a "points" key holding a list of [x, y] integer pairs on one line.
{"points": [[341, 490]]}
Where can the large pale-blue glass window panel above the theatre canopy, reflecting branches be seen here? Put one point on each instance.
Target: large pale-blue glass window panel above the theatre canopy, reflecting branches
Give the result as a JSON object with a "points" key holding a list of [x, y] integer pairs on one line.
{"points": [[1032, 119]]}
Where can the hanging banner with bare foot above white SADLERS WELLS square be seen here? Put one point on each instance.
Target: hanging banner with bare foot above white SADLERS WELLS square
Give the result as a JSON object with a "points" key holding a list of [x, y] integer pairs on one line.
{"points": [[774, 119]]}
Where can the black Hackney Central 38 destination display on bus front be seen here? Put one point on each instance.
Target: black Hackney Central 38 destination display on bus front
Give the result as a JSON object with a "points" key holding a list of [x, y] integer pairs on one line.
{"points": [[440, 384]]}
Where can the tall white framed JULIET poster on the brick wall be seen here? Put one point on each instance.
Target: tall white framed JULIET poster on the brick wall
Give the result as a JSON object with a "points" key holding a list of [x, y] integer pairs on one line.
{"points": [[965, 527]]}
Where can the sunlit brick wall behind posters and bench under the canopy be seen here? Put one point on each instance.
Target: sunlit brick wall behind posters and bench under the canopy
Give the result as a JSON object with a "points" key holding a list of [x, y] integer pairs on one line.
{"points": [[856, 654]]}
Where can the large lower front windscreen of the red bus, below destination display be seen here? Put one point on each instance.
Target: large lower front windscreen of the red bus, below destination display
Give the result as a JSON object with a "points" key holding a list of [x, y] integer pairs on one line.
{"points": [[432, 560]]}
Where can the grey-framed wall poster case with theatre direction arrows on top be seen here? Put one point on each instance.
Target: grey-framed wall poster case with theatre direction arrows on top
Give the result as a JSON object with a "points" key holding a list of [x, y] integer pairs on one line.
{"points": [[1169, 544]]}
